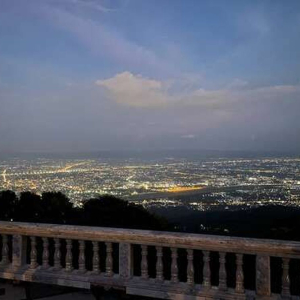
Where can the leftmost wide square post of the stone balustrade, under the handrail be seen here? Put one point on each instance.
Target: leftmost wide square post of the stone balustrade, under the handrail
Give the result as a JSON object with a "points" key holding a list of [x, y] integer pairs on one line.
{"points": [[19, 246]]}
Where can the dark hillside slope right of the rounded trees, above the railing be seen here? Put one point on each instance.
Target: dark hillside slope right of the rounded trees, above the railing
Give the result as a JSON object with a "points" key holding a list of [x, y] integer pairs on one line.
{"points": [[273, 221]]}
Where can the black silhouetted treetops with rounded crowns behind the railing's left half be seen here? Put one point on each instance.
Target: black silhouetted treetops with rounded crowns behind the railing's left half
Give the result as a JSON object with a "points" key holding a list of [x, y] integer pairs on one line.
{"points": [[56, 208]]}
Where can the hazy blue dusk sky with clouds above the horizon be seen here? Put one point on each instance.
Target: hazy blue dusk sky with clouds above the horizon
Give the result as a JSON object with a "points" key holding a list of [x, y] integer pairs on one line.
{"points": [[80, 75]]}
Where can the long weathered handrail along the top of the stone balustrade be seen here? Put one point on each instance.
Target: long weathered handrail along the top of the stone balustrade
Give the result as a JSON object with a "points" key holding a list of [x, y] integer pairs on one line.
{"points": [[268, 247]]}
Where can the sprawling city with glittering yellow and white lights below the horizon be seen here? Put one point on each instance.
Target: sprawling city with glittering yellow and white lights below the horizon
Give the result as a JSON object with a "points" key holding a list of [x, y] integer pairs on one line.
{"points": [[198, 184]]}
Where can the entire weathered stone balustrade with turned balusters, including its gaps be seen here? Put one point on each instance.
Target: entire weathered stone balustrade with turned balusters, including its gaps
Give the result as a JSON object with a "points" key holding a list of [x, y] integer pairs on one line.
{"points": [[148, 263]]}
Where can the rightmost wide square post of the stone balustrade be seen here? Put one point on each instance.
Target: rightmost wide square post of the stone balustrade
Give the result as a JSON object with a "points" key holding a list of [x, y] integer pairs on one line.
{"points": [[263, 276]]}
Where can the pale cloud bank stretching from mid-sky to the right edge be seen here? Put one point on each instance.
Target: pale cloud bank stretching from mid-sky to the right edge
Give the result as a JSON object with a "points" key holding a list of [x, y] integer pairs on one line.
{"points": [[134, 90]]}
